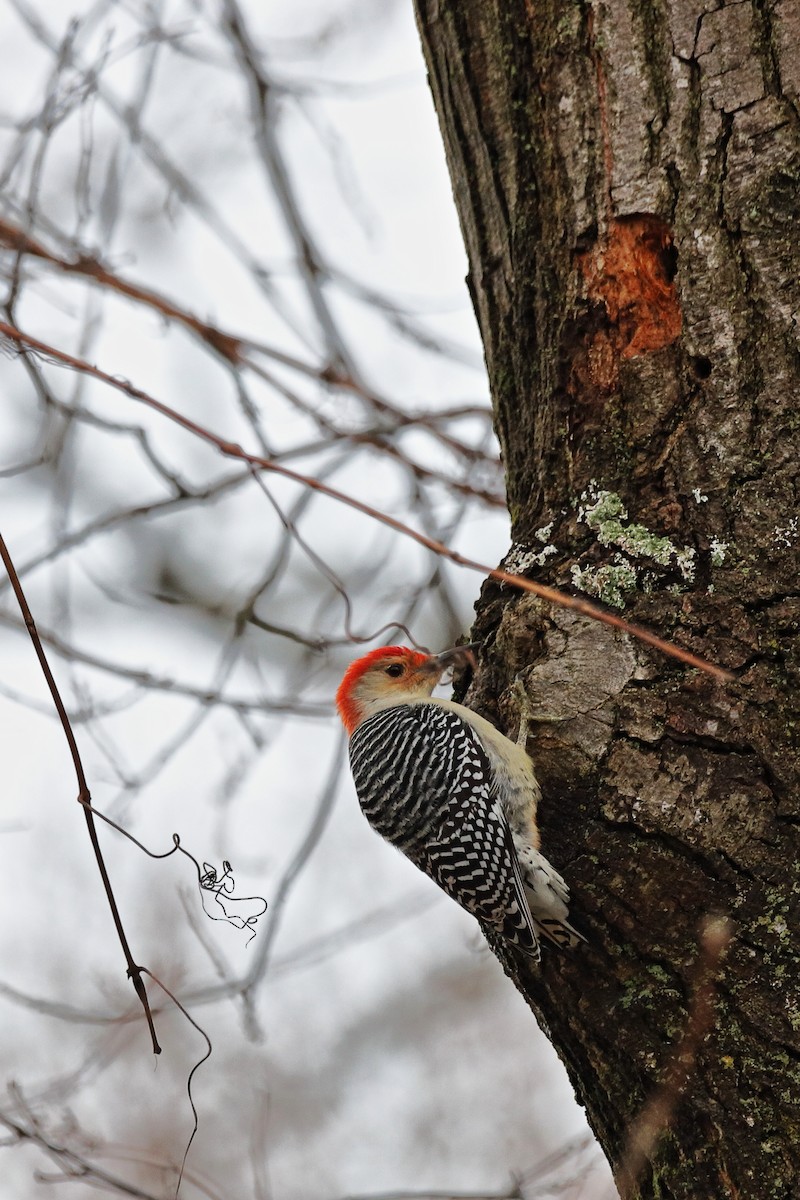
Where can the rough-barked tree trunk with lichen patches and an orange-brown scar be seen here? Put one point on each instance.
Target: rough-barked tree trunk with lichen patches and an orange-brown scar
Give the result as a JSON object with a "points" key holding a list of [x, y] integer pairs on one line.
{"points": [[628, 177]]}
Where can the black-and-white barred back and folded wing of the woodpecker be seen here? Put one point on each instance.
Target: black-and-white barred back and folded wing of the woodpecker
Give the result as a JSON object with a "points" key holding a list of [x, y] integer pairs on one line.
{"points": [[426, 784]]}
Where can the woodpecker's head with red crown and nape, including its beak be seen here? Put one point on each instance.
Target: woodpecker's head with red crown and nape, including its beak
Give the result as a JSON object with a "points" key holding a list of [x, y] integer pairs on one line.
{"points": [[393, 675]]}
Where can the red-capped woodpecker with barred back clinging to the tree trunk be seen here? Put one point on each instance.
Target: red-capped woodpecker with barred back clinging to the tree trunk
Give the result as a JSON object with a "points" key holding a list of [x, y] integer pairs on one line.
{"points": [[453, 794]]}
